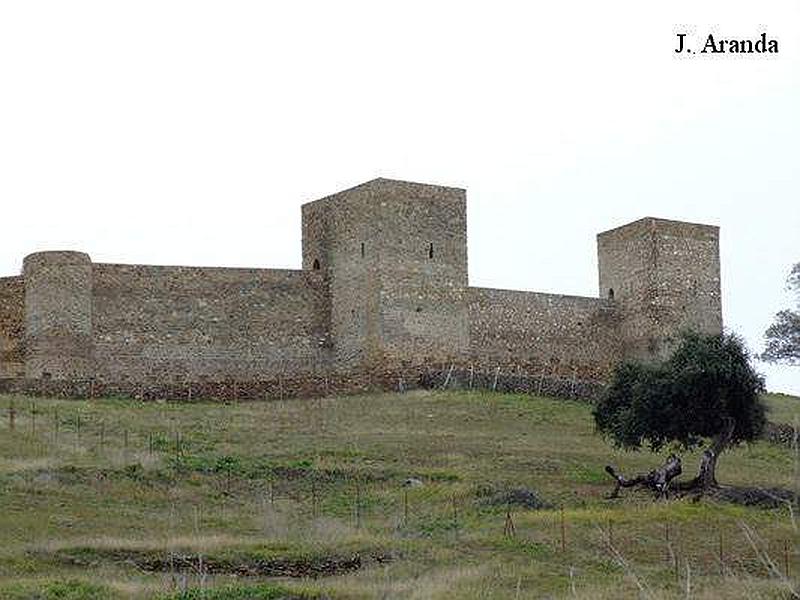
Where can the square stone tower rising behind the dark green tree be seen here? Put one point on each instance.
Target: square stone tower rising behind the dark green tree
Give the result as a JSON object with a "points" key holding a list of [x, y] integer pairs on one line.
{"points": [[664, 277]]}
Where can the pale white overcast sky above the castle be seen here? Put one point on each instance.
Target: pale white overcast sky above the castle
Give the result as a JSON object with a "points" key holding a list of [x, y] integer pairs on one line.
{"points": [[191, 132]]}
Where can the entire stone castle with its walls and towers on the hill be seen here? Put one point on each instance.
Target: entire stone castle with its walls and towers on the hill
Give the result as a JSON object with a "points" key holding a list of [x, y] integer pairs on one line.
{"points": [[382, 299]]}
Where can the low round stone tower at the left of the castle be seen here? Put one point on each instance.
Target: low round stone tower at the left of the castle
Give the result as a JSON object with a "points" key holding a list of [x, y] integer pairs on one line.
{"points": [[58, 315]]}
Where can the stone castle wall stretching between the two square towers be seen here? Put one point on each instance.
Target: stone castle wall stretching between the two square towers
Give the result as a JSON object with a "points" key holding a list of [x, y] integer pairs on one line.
{"points": [[545, 335]]}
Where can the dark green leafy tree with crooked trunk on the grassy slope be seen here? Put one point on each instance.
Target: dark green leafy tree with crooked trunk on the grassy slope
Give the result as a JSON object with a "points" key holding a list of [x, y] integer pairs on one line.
{"points": [[705, 393]]}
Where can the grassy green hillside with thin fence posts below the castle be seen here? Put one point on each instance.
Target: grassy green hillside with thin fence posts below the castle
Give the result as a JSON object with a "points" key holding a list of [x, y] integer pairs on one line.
{"points": [[306, 498]]}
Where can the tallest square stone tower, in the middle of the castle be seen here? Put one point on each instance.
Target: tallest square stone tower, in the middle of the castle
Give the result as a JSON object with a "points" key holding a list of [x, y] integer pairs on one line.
{"points": [[394, 255]]}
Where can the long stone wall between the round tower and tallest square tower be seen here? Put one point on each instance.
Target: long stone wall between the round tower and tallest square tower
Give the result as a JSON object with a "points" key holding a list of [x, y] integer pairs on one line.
{"points": [[174, 324]]}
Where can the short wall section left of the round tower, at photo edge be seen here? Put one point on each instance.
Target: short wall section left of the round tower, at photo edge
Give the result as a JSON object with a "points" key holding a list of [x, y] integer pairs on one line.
{"points": [[12, 326]]}
